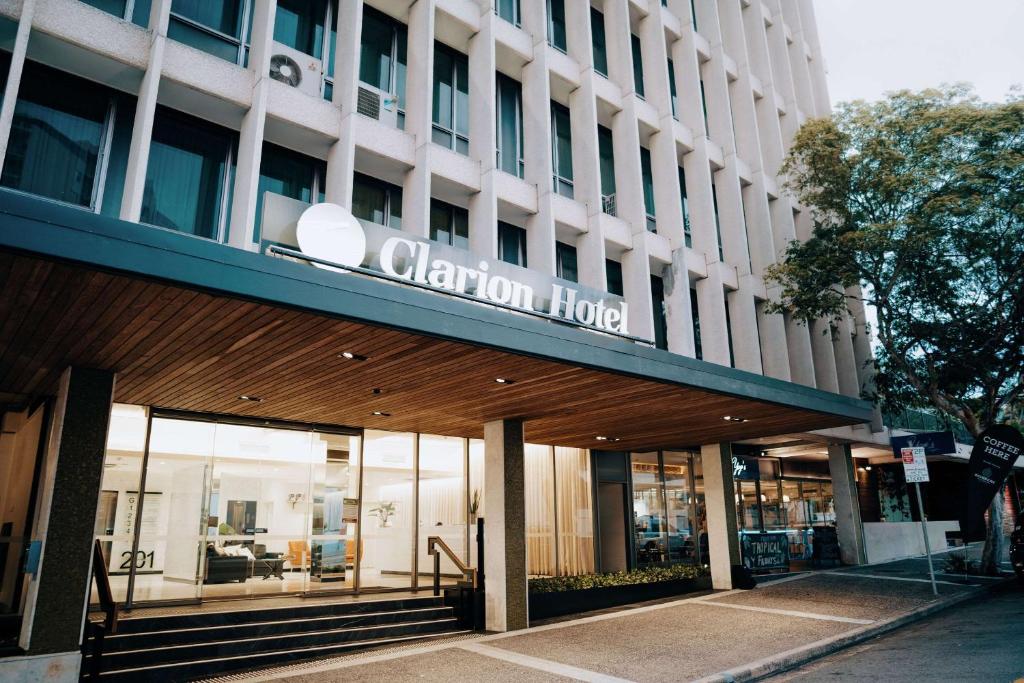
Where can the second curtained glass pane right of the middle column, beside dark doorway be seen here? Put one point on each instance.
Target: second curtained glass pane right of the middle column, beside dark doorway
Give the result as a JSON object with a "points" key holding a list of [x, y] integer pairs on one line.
{"points": [[575, 511]]}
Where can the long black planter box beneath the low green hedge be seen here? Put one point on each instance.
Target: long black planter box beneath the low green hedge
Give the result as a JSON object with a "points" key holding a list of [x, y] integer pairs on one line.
{"points": [[545, 606]]}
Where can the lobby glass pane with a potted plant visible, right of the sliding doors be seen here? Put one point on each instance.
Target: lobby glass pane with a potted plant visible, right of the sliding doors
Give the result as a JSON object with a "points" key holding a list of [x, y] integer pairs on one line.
{"points": [[388, 516]]}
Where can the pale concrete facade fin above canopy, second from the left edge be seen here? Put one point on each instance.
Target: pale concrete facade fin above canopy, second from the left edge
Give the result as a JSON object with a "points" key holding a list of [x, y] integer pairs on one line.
{"points": [[146, 112]]}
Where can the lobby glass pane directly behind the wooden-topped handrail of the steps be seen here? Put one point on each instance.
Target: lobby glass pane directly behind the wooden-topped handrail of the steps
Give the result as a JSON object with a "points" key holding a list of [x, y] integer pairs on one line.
{"points": [[443, 503]]}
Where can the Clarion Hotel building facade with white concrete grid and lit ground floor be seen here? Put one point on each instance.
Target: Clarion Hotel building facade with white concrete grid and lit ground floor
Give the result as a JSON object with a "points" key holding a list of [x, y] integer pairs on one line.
{"points": [[184, 374]]}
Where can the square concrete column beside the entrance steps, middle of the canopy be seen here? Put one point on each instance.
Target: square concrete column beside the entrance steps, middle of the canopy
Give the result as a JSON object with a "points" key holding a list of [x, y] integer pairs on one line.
{"points": [[505, 527]]}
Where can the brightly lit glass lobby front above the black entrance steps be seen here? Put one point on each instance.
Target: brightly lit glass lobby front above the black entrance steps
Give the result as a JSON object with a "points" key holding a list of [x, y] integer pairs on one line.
{"points": [[234, 508]]}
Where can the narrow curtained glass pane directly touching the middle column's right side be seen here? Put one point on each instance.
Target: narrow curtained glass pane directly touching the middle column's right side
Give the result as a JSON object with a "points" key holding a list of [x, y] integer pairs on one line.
{"points": [[540, 511]]}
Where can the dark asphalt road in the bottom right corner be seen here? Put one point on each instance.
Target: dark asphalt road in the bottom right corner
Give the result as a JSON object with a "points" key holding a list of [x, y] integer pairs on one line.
{"points": [[978, 642]]}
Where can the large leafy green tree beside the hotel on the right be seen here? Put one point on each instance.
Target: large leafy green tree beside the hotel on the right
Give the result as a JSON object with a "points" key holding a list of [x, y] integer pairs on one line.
{"points": [[918, 203]]}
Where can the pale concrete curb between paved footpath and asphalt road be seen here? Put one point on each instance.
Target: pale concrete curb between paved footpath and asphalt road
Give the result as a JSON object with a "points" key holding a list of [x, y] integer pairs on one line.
{"points": [[782, 662]]}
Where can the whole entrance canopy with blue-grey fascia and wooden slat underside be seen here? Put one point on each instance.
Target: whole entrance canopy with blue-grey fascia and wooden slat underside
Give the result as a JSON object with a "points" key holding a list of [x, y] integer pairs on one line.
{"points": [[193, 325]]}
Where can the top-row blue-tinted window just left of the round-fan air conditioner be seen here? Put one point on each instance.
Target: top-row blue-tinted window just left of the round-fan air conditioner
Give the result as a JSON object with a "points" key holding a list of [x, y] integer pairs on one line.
{"points": [[219, 27]]}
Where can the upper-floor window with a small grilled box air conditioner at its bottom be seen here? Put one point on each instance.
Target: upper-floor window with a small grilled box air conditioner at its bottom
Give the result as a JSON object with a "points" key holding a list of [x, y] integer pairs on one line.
{"points": [[382, 63]]}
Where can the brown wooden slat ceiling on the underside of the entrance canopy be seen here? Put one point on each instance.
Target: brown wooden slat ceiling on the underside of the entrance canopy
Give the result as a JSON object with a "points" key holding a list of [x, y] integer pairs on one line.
{"points": [[193, 351]]}
